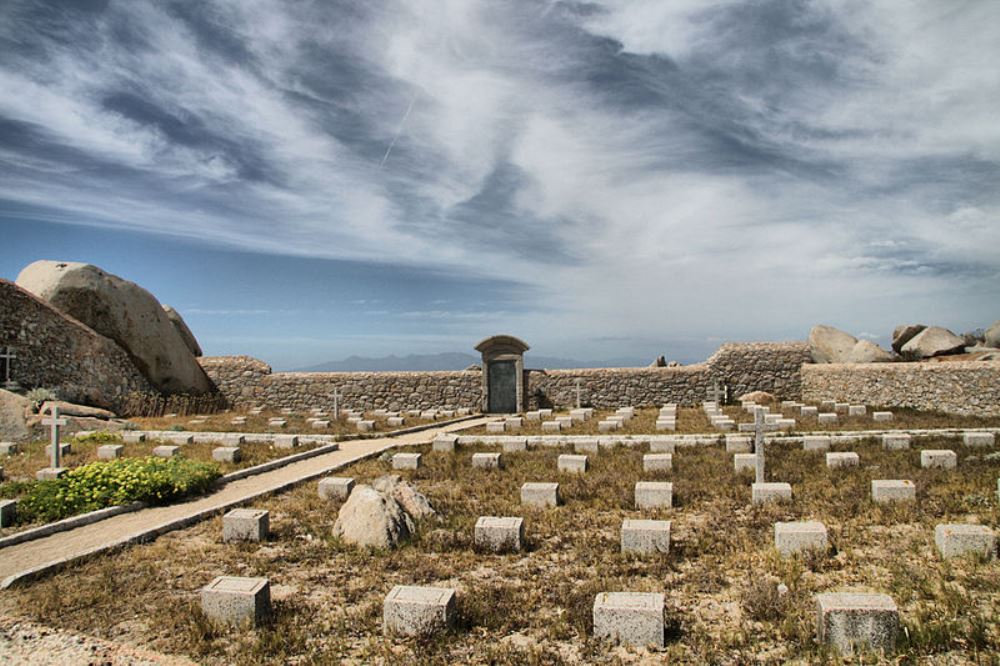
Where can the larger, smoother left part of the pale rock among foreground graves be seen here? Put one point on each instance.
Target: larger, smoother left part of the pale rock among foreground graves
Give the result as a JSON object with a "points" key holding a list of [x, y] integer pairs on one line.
{"points": [[374, 519]]}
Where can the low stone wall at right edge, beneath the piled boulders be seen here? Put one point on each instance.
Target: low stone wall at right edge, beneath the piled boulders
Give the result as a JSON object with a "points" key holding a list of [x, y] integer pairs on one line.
{"points": [[965, 387]]}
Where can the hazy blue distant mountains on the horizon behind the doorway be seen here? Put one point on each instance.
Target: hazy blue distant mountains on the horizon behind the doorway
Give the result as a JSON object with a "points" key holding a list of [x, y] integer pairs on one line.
{"points": [[456, 361]]}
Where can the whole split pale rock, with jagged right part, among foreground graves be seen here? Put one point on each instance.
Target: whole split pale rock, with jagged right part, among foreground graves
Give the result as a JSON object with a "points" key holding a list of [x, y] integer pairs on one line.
{"points": [[381, 515]]}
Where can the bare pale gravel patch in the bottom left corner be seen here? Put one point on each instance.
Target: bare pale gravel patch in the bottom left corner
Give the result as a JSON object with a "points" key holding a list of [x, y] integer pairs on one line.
{"points": [[23, 642]]}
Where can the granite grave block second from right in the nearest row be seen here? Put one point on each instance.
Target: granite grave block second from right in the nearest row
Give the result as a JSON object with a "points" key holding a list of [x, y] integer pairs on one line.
{"points": [[629, 618]]}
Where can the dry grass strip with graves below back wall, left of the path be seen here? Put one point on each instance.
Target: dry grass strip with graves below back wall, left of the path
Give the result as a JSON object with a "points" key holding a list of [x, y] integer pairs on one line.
{"points": [[296, 423]]}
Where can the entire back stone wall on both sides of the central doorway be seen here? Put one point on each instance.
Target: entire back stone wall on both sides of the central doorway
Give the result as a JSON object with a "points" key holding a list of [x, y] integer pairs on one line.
{"points": [[772, 367]]}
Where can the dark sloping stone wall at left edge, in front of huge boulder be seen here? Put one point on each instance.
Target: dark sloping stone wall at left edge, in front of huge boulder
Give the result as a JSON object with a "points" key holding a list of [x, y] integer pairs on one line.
{"points": [[57, 352]]}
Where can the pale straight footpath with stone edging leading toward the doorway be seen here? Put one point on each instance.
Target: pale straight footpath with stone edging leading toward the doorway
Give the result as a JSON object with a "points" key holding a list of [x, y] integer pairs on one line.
{"points": [[35, 558]]}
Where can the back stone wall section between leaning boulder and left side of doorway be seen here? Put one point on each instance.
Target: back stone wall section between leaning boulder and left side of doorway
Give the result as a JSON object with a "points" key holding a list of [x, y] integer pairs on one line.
{"points": [[246, 381]]}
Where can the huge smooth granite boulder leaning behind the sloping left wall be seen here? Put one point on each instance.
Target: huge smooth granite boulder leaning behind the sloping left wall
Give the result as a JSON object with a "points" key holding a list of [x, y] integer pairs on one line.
{"points": [[126, 313]]}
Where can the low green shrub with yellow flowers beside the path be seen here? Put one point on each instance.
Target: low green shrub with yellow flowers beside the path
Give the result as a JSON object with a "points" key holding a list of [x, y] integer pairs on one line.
{"points": [[102, 484]]}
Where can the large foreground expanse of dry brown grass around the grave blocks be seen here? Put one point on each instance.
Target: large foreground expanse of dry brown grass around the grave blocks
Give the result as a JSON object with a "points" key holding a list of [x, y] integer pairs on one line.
{"points": [[535, 607]]}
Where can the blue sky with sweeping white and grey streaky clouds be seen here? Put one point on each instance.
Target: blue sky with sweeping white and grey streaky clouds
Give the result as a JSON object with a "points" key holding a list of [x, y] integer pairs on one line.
{"points": [[307, 180]]}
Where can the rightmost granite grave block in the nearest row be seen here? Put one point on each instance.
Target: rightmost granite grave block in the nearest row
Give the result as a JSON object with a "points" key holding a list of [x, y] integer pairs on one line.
{"points": [[848, 621]]}
